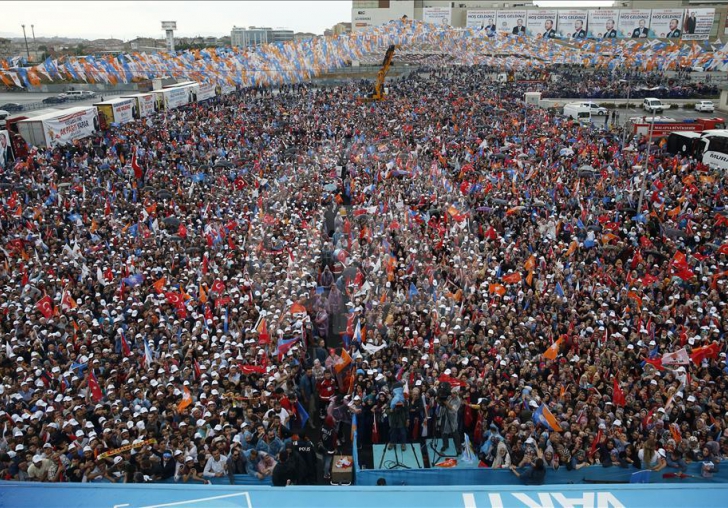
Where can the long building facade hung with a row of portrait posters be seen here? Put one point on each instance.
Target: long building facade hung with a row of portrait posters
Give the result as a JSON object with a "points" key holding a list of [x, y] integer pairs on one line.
{"points": [[687, 19]]}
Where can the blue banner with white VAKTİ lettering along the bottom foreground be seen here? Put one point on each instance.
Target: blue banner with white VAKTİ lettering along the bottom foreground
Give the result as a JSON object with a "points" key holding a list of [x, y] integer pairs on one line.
{"points": [[77, 495]]}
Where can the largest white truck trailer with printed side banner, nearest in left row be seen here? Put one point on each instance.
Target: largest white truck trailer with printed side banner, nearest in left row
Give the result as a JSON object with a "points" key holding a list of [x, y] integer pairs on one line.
{"points": [[59, 127]]}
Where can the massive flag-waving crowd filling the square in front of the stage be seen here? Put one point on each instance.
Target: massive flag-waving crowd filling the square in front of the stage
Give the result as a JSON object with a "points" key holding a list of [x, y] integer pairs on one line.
{"points": [[218, 290]]}
